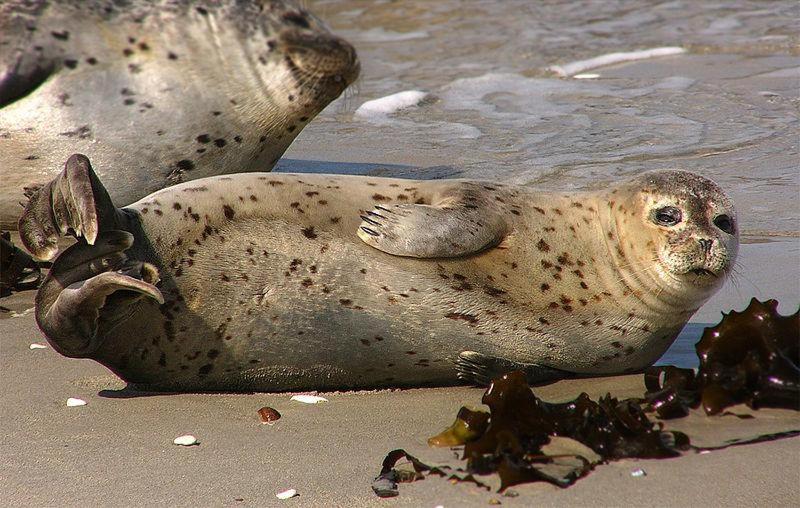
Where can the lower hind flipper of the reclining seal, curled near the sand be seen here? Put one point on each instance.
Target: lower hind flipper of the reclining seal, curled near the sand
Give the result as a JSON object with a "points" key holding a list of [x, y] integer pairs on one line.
{"points": [[83, 281]]}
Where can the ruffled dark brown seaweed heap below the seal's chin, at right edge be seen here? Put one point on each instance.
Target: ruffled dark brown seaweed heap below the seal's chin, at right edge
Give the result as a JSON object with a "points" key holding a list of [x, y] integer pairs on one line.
{"points": [[750, 357]]}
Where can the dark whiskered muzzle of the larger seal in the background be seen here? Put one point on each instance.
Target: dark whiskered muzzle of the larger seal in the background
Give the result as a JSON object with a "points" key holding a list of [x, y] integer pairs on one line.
{"points": [[321, 57]]}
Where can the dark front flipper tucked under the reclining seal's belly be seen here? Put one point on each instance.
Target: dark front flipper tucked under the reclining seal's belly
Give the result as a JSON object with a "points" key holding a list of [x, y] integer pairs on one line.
{"points": [[479, 369]]}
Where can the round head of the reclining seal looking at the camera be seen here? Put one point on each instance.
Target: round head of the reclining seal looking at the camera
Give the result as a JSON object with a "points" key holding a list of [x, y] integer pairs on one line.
{"points": [[675, 230]]}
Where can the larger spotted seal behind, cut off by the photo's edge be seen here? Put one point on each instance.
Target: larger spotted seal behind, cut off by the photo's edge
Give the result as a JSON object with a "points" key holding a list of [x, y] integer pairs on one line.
{"points": [[158, 92]]}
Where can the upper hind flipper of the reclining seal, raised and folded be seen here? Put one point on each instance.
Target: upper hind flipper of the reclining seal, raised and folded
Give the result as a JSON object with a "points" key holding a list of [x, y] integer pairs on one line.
{"points": [[73, 202]]}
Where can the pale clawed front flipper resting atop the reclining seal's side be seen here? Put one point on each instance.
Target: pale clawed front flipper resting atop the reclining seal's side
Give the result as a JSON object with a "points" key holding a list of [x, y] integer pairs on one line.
{"points": [[458, 223]]}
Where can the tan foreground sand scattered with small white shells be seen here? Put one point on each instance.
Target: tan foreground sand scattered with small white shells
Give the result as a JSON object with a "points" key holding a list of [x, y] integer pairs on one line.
{"points": [[118, 451]]}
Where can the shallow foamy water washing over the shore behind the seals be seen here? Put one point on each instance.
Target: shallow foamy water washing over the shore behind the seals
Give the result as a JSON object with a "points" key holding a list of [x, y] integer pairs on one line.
{"points": [[727, 109]]}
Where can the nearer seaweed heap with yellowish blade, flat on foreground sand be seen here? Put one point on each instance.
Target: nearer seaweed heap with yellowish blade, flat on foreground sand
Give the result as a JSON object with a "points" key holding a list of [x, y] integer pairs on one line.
{"points": [[524, 439]]}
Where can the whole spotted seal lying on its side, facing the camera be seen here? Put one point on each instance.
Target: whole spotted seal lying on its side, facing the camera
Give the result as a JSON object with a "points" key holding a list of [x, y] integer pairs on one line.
{"points": [[304, 281]]}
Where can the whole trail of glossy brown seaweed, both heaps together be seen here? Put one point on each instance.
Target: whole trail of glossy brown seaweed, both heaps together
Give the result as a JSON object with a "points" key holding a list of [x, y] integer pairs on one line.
{"points": [[749, 357]]}
